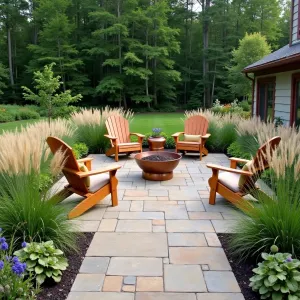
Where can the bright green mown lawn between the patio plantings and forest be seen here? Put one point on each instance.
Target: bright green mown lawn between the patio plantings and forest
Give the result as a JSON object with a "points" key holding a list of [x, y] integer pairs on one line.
{"points": [[142, 123]]}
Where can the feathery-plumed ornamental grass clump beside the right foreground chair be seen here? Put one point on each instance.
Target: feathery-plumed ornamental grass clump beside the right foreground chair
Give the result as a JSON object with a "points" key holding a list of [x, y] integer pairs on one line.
{"points": [[274, 219]]}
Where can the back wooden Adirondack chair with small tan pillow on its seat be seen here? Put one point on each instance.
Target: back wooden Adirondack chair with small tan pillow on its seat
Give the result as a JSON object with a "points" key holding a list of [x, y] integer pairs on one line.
{"points": [[196, 126]]}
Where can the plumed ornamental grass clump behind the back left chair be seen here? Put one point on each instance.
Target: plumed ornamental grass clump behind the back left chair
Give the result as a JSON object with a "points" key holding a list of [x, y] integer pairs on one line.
{"points": [[91, 126]]}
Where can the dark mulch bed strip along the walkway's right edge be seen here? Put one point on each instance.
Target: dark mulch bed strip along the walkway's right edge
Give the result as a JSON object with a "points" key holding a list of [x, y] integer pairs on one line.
{"points": [[241, 270]]}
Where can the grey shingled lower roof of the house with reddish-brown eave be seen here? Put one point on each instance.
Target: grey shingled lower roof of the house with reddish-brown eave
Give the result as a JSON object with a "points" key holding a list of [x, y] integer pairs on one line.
{"points": [[279, 57]]}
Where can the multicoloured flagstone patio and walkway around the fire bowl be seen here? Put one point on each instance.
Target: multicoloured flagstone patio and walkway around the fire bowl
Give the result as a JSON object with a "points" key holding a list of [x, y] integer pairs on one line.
{"points": [[160, 242]]}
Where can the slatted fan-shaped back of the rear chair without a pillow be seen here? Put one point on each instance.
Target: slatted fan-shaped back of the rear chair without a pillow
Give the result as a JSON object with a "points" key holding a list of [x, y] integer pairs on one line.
{"points": [[118, 127]]}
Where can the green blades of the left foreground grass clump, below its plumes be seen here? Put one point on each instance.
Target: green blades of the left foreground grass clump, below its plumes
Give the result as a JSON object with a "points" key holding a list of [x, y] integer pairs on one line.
{"points": [[27, 214]]}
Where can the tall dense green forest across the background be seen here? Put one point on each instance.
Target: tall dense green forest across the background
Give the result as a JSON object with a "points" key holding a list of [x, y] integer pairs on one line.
{"points": [[146, 53]]}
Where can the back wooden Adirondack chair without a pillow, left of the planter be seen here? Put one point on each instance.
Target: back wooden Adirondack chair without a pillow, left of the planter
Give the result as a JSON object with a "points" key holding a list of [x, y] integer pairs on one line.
{"points": [[119, 135]]}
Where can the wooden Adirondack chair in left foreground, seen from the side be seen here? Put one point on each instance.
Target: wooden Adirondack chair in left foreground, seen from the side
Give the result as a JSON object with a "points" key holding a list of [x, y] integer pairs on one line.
{"points": [[101, 183]]}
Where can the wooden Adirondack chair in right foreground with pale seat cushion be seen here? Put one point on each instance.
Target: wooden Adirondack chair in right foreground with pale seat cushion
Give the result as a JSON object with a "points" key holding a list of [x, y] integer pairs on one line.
{"points": [[233, 183]]}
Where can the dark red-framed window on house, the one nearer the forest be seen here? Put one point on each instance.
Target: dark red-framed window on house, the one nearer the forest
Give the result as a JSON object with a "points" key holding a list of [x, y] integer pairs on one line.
{"points": [[266, 98]]}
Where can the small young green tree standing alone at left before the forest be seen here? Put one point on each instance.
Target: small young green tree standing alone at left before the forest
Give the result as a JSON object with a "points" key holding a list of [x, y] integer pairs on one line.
{"points": [[47, 96]]}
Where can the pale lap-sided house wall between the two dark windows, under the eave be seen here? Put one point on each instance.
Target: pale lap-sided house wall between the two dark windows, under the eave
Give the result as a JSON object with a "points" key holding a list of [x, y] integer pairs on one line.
{"points": [[282, 95]]}
